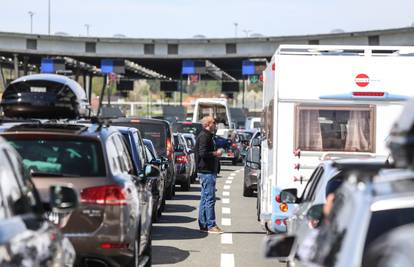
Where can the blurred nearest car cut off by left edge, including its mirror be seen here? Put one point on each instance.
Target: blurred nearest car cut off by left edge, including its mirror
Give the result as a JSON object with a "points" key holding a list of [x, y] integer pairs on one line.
{"points": [[27, 238]]}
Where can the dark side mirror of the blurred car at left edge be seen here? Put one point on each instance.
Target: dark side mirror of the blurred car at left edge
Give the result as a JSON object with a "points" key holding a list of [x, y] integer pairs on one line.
{"points": [[63, 199]]}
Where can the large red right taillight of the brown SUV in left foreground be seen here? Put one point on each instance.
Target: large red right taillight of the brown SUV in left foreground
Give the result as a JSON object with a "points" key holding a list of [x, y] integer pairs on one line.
{"points": [[113, 195]]}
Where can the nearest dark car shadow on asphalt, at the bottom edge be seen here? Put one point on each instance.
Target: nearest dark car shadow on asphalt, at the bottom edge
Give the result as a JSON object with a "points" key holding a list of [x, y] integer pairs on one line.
{"points": [[168, 255]]}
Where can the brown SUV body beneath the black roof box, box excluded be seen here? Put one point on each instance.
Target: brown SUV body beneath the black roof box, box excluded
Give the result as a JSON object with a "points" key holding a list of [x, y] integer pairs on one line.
{"points": [[93, 159]]}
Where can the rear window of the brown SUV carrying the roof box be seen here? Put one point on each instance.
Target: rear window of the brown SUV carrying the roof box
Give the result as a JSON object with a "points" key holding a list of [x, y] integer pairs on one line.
{"points": [[57, 157]]}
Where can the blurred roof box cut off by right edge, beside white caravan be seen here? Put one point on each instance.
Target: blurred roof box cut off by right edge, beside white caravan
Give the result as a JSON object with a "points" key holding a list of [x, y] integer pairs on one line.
{"points": [[401, 138]]}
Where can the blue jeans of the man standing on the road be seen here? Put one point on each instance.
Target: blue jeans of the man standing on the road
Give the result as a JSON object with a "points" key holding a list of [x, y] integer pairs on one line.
{"points": [[206, 213]]}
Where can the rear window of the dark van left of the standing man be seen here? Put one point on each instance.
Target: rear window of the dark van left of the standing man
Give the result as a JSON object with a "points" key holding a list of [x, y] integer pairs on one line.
{"points": [[156, 133]]}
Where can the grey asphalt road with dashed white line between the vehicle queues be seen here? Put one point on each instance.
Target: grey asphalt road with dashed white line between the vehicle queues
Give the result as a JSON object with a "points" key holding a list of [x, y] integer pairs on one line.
{"points": [[178, 242]]}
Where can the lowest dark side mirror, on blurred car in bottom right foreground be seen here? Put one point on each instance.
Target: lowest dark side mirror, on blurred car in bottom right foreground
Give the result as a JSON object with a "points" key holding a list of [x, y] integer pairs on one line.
{"points": [[279, 246]]}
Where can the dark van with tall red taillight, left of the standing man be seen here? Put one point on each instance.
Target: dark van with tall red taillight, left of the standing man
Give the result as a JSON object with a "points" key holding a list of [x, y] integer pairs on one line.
{"points": [[160, 134]]}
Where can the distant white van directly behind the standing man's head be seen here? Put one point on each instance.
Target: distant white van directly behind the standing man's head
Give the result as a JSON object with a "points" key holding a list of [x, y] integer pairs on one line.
{"points": [[216, 107]]}
